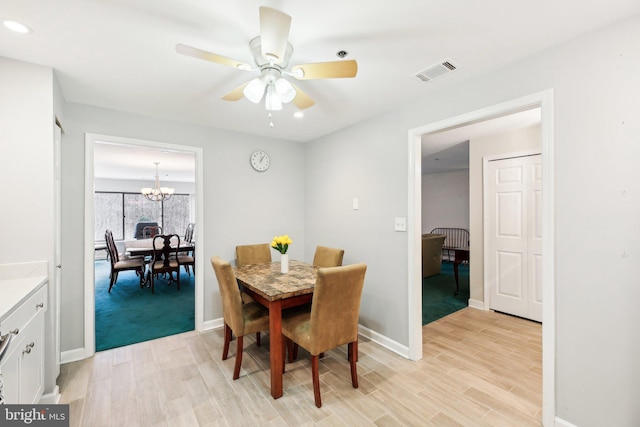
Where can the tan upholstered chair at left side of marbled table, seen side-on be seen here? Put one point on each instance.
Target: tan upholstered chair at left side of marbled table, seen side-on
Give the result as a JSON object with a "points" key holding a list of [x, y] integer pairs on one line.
{"points": [[239, 318]]}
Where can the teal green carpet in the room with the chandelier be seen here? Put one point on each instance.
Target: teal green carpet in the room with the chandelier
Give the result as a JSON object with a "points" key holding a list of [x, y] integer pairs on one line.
{"points": [[129, 314]]}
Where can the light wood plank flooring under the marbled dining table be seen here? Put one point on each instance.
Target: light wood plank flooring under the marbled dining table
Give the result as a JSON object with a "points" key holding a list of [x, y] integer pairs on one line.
{"points": [[479, 369]]}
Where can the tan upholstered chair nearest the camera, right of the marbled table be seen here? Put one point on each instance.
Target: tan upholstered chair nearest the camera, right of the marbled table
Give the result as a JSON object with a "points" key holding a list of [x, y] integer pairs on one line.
{"points": [[332, 321]]}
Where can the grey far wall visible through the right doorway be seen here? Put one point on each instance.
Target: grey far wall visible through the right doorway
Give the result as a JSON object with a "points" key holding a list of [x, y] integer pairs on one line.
{"points": [[445, 200]]}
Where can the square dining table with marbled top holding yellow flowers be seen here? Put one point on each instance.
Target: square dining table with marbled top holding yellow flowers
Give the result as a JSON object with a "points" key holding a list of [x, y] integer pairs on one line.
{"points": [[277, 291]]}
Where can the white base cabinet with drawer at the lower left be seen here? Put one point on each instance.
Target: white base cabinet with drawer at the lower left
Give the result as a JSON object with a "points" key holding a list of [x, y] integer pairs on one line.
{"points": [[22, 366]]}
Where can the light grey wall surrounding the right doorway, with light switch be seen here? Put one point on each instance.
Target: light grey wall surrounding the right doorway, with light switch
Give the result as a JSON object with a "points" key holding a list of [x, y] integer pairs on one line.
{"points": [[597, 200]]}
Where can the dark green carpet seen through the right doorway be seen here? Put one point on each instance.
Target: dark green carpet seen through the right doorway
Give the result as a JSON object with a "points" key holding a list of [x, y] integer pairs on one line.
{"points": [[438, 299]]}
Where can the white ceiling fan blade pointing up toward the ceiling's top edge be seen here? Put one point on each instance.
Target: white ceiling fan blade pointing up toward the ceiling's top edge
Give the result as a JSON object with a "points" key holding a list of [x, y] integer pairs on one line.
{"points": [[274, 33]]}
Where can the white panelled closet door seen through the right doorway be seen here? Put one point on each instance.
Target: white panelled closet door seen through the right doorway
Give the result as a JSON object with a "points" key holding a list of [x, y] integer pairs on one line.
{"points": [[514, 236]]}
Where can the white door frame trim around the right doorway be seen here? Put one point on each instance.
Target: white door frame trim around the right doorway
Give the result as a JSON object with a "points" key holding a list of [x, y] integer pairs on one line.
{"points": [[544, 101]]}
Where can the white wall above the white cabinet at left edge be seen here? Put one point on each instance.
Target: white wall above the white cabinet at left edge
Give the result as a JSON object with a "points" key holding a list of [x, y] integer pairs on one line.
{"points": [[26, 169]]}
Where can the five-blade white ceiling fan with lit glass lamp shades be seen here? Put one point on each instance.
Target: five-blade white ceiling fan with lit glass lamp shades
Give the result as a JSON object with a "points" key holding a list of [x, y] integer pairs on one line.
{"points": [[271, 52]]}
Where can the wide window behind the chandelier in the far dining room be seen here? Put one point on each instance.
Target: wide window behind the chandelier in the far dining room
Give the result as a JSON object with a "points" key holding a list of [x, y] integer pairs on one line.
{"points": [[120, 212]]}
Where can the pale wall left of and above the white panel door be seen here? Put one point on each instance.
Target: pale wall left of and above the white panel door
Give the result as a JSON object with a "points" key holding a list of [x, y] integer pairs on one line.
{"points": [[493, 145]]}
